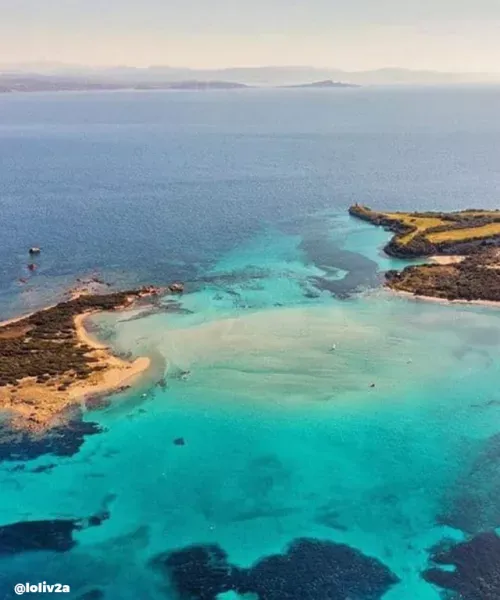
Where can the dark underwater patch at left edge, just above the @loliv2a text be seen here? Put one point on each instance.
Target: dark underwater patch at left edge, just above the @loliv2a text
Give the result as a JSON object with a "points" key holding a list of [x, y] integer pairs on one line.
{"points": [[55, 535]]}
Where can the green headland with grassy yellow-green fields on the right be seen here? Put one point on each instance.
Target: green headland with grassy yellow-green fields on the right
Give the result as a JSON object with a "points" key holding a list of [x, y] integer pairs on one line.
{"points": [[464, 247]]}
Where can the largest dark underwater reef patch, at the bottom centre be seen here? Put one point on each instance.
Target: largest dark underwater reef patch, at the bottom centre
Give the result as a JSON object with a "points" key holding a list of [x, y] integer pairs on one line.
{"points": [[310, 569]]}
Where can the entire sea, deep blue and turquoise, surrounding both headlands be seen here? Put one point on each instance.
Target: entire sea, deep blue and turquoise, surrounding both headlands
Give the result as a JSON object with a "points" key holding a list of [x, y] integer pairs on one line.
{"points": [[302, 428]]}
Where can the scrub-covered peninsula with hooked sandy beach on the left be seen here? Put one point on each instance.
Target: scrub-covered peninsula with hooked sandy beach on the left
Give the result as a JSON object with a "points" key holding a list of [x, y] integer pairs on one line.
{"points": [[50, 362]]}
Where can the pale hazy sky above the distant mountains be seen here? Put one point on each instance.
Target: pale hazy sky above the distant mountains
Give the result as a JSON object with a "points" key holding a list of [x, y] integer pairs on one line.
{"points": [[444, 35]]}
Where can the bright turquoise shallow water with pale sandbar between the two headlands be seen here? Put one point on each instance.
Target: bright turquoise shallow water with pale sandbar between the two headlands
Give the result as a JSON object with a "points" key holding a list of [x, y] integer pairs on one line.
{"points": [[284, 437]]}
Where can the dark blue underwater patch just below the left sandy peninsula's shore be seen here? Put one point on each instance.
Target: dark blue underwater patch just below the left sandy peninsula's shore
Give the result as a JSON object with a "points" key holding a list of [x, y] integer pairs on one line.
{"points": [[61, 440]]}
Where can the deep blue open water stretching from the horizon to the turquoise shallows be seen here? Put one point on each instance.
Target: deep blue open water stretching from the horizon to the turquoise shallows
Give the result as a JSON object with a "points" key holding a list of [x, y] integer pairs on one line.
{"points": [[158, 186]]}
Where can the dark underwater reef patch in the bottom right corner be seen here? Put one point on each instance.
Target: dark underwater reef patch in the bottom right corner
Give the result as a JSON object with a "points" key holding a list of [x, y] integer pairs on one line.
{"points": [[477, 568]]}
